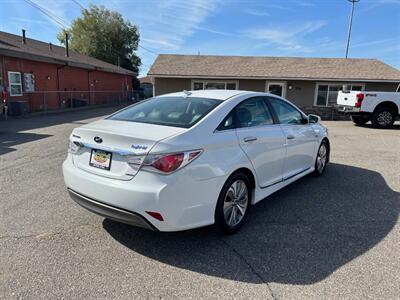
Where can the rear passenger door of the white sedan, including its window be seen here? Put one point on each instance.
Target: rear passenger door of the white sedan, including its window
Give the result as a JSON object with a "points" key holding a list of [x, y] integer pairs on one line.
{"points": [[261, 139]]}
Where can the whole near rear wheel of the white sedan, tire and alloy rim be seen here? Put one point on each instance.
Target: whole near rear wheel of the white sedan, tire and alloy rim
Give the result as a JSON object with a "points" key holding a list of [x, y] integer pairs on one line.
{"points": [[233, 203]]}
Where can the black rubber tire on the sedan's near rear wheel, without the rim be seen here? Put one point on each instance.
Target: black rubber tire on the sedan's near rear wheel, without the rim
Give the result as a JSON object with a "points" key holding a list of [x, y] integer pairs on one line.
{"points": [[221, 221]]}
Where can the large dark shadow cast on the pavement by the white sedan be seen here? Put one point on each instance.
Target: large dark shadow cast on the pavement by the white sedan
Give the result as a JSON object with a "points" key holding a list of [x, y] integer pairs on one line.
{"points": [[299, 235]]}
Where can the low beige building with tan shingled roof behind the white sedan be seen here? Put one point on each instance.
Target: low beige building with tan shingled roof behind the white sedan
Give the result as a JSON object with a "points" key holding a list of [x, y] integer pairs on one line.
{"points": [[311, 83]]}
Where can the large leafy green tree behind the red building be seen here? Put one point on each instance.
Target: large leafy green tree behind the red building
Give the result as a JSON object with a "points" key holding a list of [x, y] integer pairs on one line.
{"points": [[105, 35]]}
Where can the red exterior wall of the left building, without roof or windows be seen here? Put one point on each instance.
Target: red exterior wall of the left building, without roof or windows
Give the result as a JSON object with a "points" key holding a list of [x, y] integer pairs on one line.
{"points": [[50, 78]]}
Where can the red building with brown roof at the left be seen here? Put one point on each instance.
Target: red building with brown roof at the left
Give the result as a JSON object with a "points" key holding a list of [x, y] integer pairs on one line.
{"points": [[45, 76]]}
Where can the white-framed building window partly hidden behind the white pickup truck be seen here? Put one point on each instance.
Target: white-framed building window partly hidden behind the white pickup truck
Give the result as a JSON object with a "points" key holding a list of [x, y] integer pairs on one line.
{"points": [[326, 93]]}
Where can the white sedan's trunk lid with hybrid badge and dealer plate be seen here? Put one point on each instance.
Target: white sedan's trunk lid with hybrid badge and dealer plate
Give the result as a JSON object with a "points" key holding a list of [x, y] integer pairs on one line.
{"points": [[106, 145]]}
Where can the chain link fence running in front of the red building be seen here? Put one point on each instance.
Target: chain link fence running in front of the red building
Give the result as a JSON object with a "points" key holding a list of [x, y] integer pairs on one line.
{"points": [[66, 100]]}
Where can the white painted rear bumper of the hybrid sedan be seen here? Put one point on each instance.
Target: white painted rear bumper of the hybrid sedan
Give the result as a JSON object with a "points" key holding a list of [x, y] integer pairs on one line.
{"points": [[183, 202]]}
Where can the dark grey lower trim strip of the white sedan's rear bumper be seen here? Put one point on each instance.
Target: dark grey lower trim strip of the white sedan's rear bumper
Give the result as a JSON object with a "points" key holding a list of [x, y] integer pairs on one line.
{"points": [[111, 212]]}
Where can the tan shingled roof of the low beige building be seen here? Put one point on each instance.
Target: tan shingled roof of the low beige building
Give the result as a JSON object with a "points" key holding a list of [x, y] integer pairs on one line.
{"points": [[272, 67]]}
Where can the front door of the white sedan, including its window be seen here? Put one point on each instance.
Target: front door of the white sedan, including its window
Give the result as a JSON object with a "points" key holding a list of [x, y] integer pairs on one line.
{"points": [[300, 138]]}
